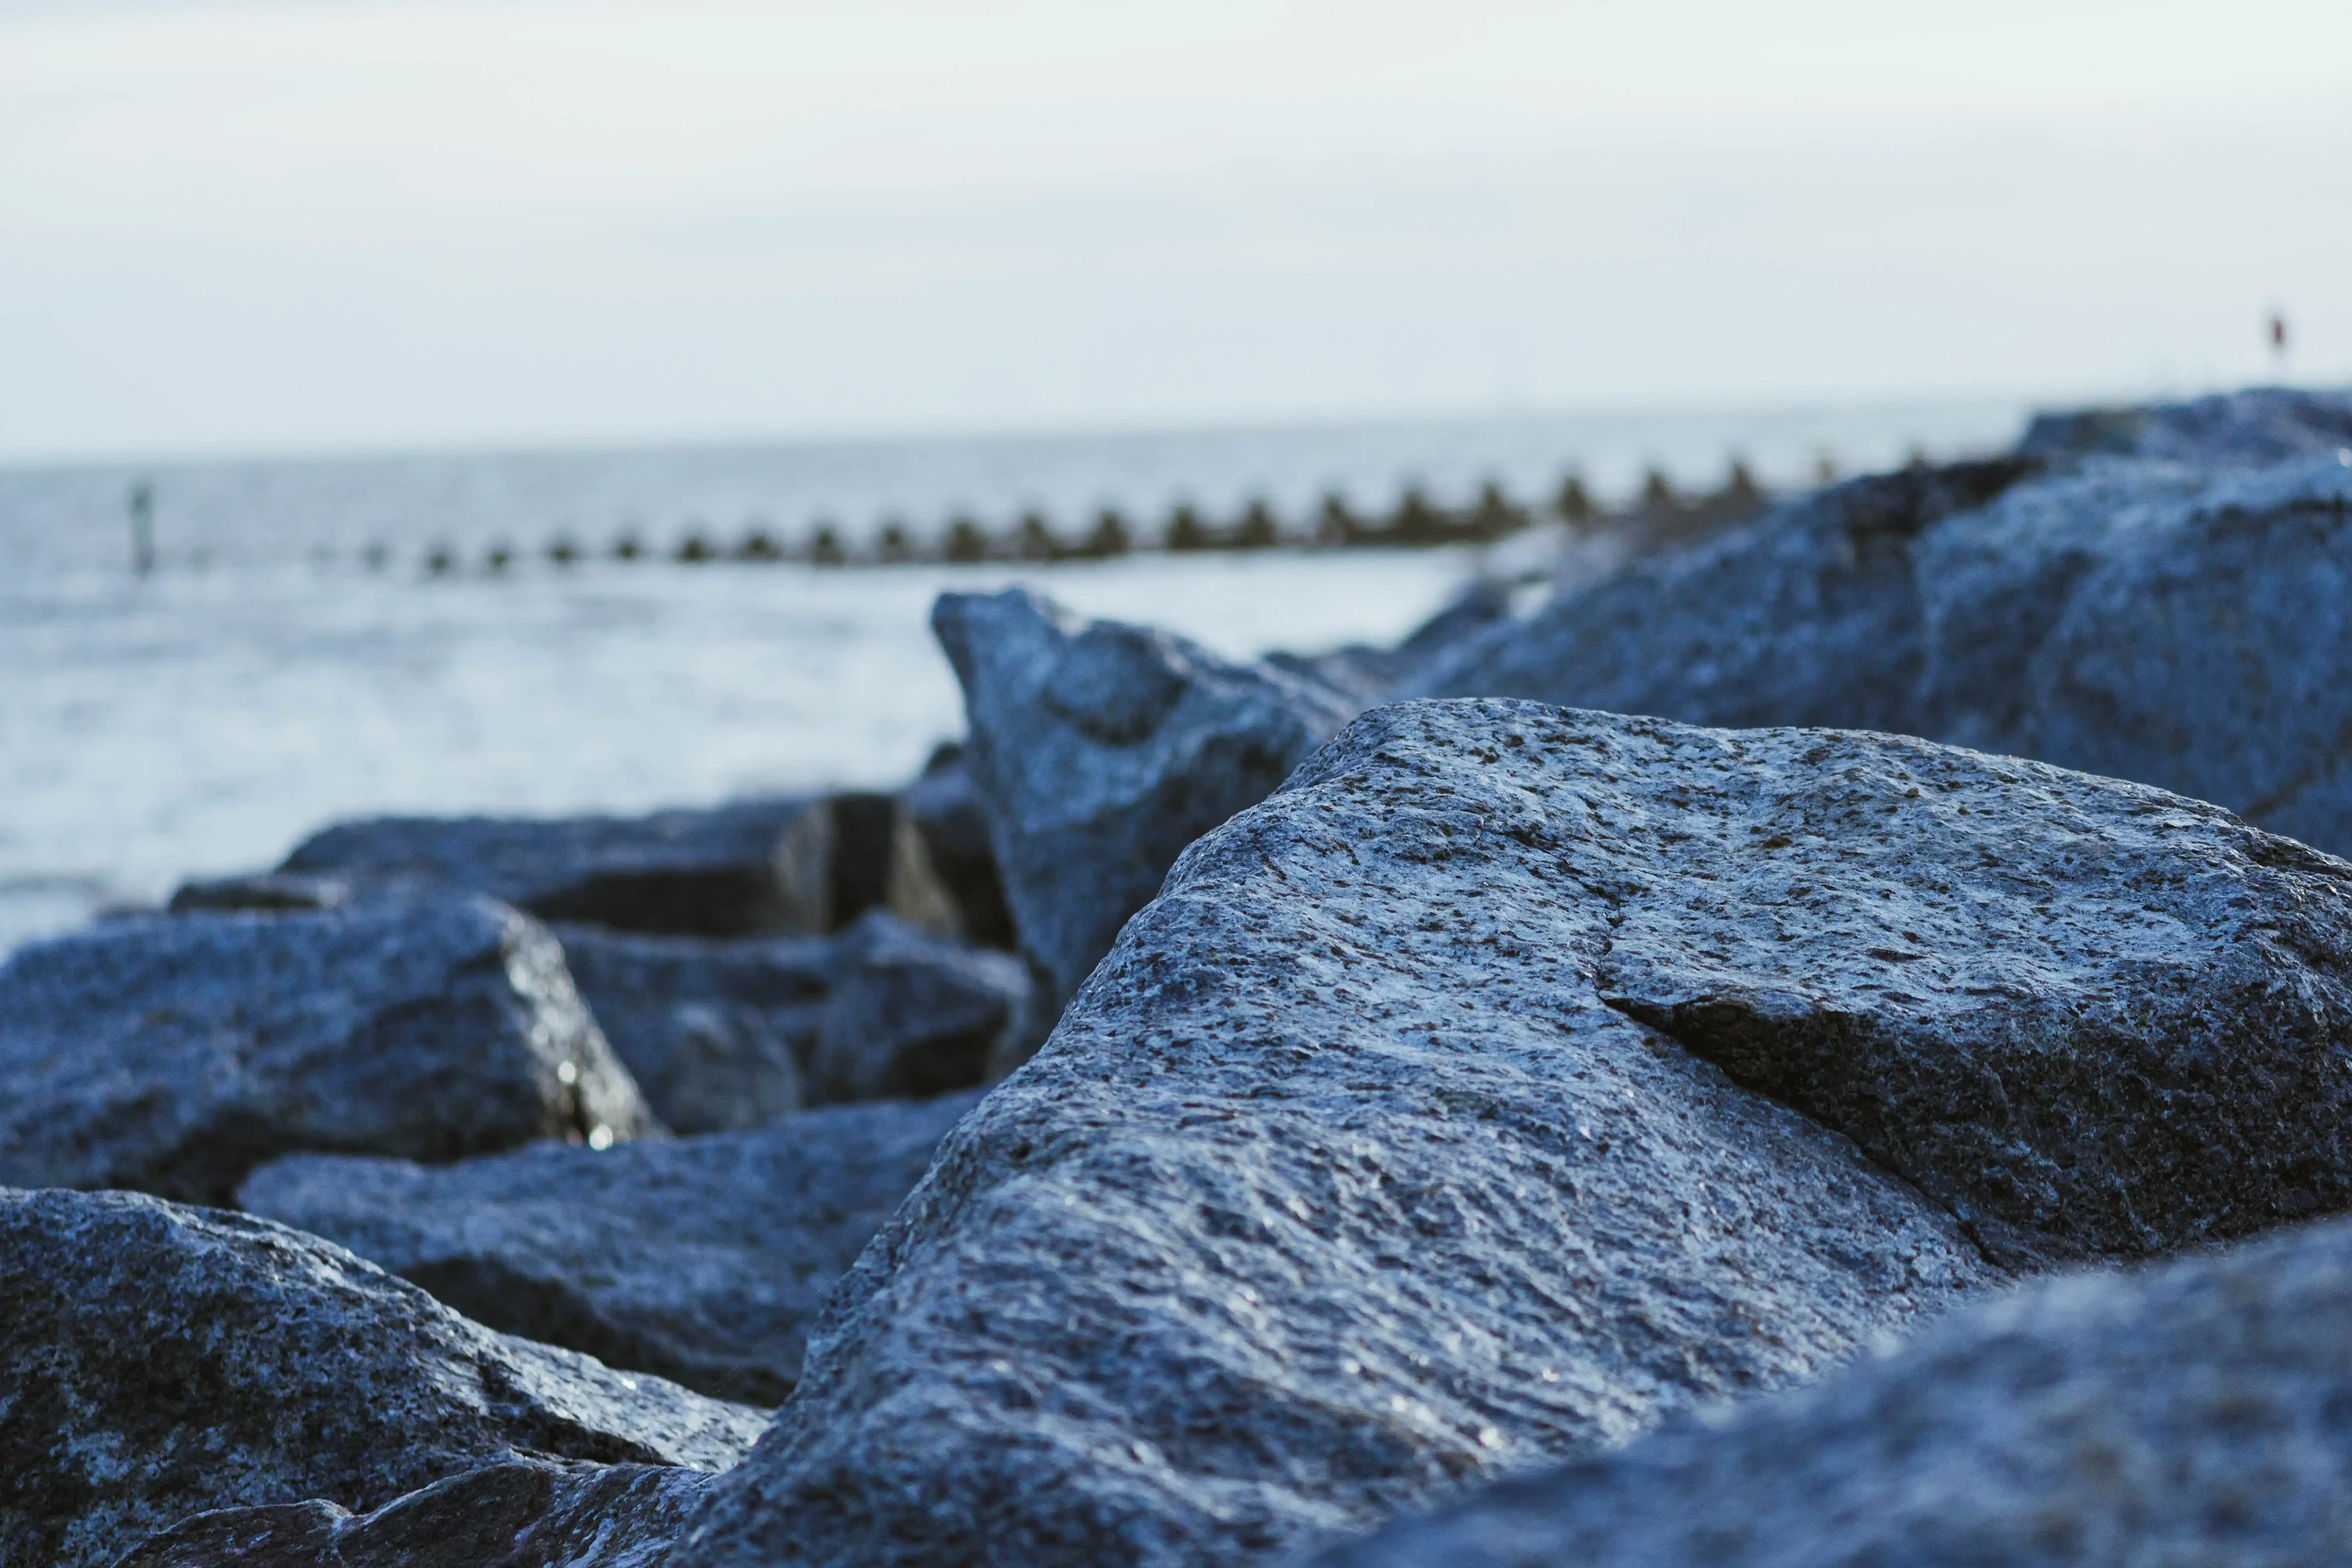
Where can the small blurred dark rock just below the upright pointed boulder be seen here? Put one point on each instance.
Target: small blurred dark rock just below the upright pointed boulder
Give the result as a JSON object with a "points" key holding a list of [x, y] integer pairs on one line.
{"points": [[733, 1033]]}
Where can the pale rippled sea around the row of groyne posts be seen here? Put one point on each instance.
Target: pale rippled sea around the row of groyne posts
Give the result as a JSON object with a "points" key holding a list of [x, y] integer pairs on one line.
{"points": [[267, 681]]}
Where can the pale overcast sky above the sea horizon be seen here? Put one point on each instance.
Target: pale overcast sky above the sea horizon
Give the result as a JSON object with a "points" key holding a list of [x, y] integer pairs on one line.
{"points": [[345, 225]]}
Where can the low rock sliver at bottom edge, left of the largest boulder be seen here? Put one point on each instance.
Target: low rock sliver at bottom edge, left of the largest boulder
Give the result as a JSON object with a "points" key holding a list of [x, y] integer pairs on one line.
{"points": [[512, 1515]]}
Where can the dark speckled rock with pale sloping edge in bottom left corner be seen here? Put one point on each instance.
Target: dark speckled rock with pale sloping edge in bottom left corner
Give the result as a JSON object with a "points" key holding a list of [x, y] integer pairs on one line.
{"points": [[159, 1362]]}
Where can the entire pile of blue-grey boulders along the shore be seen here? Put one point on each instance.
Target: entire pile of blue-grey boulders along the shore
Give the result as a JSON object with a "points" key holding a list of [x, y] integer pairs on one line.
{"points": [[1817, 1045]]}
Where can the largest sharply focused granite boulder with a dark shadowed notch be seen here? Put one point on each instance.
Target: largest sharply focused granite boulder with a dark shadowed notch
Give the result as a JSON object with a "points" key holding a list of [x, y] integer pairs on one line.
{"points": [[1387, 1148]]}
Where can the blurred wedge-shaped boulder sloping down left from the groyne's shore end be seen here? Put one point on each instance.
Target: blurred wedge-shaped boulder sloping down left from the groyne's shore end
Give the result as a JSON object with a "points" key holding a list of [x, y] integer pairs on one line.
{"points": [[1805, 617]]}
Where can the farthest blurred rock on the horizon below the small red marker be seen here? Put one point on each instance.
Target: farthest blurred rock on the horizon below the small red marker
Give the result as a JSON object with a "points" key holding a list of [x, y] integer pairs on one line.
{"points": [[2269, 424]]}
